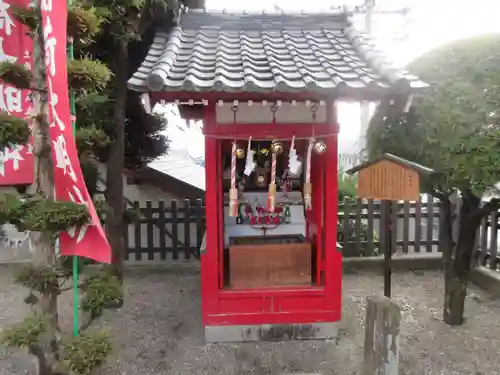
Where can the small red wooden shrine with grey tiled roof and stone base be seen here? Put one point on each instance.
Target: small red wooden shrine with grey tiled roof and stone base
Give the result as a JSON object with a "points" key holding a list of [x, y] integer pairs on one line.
{"points": [[267, 86]]}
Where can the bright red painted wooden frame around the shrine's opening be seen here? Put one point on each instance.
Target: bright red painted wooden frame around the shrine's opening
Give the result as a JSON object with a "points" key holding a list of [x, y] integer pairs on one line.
{"points": [[284, 305]]}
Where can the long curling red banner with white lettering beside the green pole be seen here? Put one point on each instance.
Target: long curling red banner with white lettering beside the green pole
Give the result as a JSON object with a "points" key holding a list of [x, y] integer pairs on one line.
{"points": [[89, 240]]}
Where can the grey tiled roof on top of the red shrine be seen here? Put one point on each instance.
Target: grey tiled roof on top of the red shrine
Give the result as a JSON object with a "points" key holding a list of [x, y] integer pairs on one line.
{"points": [[277, 52]]}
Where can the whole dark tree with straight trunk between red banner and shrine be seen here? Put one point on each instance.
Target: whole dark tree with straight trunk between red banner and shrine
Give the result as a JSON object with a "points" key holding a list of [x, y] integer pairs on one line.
{"points": [[135, 135]]}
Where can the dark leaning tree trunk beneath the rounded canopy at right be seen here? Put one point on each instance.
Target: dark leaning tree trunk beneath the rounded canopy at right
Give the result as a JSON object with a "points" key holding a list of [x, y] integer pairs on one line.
{"points": [[458, 268]]}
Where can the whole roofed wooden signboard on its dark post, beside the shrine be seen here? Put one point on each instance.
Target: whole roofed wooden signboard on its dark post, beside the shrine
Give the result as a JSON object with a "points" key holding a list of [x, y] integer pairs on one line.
{"points": [[389, 178]]}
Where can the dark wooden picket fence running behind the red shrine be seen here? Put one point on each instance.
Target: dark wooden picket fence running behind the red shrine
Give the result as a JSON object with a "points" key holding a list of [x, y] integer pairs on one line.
{"points": [[178, 227]]}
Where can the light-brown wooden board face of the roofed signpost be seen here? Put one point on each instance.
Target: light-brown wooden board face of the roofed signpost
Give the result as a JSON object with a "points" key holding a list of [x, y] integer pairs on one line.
{"points": [[386, 180]]}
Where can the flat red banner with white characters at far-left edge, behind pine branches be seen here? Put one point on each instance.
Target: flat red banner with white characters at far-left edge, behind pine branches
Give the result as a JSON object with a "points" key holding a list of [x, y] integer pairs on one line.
{"points": [[16, 163]]}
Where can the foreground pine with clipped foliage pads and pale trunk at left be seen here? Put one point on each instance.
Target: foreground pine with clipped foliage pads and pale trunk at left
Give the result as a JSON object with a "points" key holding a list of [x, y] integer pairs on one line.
{"points": [[39, 213]]}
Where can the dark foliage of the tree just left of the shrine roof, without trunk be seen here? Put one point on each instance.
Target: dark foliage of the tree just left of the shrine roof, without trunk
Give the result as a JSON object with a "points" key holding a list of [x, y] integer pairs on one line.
{"points": [[143, 139]]}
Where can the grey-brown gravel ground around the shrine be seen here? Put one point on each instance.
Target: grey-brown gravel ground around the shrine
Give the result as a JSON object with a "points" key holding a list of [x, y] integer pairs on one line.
{"points": [[158, 331]]}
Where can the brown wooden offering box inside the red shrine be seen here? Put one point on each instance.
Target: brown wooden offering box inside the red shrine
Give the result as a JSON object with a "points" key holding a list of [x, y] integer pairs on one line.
{"points": [[269, 261]]}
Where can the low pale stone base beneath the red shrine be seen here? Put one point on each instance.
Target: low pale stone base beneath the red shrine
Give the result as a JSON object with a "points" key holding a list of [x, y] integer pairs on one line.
{"points": [[271, 332]]}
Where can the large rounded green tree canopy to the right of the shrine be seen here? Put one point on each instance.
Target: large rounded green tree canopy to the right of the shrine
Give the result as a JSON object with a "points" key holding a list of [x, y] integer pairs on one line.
{"points": [[454, 127]]}
